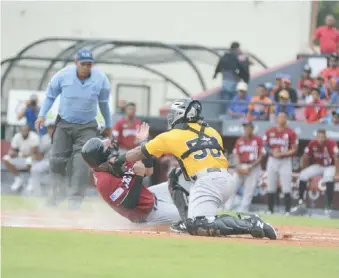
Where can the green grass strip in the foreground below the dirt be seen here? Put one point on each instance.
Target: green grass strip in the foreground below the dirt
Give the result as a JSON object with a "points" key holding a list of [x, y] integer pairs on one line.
{"points": [[69, 254]]}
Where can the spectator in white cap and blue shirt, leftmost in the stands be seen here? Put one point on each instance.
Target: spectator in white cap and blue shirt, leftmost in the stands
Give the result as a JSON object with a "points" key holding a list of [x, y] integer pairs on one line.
{"points": [[239, 107]]}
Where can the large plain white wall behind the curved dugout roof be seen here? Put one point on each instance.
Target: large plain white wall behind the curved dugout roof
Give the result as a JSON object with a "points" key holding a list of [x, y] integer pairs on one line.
{"points": [[274, 31]]}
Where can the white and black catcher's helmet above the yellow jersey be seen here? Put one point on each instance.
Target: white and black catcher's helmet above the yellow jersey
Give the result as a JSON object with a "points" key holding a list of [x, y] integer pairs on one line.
{"points": [[184, 111]]}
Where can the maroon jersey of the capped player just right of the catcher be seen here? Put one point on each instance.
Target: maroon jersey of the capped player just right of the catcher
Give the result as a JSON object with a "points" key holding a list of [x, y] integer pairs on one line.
{"points": [[248, 149]]}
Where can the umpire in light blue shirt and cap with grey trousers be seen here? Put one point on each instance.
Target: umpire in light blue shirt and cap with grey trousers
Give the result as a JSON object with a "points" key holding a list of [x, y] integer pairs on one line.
{"points": [[81, 88]]}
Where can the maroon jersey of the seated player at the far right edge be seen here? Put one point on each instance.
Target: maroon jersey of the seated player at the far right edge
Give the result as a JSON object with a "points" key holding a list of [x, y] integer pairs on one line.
{"points": [[323, 155]]}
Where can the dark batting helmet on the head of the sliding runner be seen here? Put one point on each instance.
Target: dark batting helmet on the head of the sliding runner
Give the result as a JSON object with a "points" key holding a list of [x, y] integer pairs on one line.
{"points": [[95, 153]]}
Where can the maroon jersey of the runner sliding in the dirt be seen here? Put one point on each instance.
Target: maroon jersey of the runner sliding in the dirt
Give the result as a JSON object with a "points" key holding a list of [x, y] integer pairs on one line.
{"points": [[113, 190]]}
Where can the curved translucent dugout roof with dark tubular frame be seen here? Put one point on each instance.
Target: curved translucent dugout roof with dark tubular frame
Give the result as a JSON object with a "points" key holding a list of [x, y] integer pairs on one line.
{"points": [[52, 53]]}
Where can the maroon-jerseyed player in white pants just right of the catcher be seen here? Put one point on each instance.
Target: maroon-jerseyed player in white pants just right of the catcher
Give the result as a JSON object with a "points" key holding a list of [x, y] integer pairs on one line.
{"points": [[248, 151]]}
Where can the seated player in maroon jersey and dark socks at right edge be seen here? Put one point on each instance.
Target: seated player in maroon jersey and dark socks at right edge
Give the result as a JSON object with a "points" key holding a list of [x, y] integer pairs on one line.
{"points": [[321, 157]]}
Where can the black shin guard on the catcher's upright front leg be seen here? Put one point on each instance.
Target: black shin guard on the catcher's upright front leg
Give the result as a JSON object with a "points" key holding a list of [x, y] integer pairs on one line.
{"points": [[178, 194]]}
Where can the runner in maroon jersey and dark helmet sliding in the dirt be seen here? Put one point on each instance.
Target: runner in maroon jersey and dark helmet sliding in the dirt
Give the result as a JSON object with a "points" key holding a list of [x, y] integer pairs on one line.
{"points": [[125, 193]]}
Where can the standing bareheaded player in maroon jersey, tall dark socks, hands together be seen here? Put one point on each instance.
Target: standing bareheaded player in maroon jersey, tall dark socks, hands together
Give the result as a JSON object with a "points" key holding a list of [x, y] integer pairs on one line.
{"points": [[281, 144]]}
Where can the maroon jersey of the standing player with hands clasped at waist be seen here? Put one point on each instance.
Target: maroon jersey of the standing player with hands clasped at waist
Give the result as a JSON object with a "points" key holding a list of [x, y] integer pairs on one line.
{"points": [[281, 140]]}
